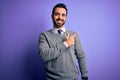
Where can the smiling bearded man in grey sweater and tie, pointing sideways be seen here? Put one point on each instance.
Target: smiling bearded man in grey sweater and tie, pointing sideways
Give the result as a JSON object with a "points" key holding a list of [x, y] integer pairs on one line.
{"points": [[59, 49]]}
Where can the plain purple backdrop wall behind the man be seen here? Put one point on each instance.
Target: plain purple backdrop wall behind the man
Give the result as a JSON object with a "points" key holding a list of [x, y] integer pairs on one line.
{"points": [[96, 21]]}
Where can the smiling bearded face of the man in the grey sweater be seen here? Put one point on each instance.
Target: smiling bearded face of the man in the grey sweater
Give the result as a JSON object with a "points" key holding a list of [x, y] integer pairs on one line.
{"points": [[59, 17]]}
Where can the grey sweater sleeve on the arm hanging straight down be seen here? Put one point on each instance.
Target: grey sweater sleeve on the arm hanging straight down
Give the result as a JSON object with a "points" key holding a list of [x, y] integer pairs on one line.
{"points": [[81, 57]]}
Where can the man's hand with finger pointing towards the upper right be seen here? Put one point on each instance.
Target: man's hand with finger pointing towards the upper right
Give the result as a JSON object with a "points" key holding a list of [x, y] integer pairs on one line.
{"points": [[70, 40]]}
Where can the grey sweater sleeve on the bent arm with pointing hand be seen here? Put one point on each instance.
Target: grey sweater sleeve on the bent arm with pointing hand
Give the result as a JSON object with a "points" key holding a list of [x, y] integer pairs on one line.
{"points": [[46, 52]]}
